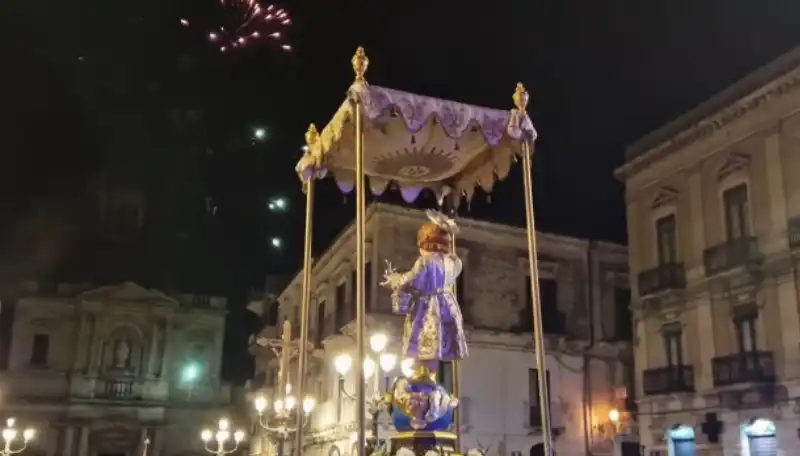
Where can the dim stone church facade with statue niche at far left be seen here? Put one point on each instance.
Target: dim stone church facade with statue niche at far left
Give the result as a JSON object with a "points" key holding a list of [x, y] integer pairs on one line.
{"points": [[96, 371]]}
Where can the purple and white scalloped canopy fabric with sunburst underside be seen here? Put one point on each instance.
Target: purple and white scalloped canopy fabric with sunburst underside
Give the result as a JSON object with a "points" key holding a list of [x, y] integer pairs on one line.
{"points": [[418, 142]]}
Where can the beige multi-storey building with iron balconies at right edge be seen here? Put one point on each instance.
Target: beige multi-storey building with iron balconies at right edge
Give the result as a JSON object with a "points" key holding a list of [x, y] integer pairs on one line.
{"points": [[713, 205]]}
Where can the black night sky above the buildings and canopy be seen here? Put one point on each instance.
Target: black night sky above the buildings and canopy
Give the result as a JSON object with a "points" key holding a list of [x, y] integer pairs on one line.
{"points": [[84, 81]]}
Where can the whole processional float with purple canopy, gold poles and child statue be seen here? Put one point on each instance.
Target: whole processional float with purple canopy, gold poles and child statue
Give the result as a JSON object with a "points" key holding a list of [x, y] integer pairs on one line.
{"points": [[381, 137]]}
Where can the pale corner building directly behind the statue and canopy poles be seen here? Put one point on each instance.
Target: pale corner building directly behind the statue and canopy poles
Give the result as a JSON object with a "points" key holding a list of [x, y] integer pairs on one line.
{"points": [[585, 308]]}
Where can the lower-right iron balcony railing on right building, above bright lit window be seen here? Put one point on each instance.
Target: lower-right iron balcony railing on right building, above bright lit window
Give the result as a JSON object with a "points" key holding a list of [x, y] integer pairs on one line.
{"points": [[748, 367]]}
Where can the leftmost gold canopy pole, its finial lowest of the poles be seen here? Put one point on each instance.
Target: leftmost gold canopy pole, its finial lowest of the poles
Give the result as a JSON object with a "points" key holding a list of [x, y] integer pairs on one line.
{"points": [[308, 186]]}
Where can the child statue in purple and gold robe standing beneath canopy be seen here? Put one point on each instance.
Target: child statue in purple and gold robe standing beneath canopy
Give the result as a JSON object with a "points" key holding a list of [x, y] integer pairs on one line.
{"points": [[434, 327]]}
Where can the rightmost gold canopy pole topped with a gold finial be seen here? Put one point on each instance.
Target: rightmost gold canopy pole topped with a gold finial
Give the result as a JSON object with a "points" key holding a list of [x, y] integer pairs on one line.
{"points": [[521, 102]]}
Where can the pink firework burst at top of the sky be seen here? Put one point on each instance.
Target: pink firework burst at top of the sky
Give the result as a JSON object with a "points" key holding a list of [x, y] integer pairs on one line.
{"points": [[243, 23]]}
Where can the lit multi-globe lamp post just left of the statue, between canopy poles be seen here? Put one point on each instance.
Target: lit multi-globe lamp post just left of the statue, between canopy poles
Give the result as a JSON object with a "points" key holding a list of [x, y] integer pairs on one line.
{"points": [[387, 362]]}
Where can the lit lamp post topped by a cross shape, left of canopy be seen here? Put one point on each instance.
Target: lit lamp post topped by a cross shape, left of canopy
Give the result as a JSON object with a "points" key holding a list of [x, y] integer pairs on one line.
{"points": [[278, 424]]}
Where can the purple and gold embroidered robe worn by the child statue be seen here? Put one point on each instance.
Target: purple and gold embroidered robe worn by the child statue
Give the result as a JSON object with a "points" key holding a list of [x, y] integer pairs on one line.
{"points": [[434, 327]]}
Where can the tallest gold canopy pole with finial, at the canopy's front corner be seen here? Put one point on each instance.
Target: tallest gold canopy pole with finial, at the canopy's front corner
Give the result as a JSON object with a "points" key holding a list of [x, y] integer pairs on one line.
{"points": [[360, 63]]}
